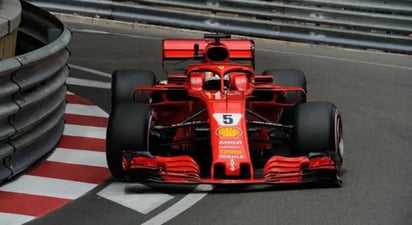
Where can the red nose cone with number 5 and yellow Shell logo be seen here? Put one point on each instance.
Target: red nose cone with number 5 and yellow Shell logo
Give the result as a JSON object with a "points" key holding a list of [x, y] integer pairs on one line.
{"points": [[230, 148]]}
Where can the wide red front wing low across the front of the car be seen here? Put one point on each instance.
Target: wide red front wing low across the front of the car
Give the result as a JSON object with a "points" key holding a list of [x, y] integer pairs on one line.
{"points": [[278, 170]]}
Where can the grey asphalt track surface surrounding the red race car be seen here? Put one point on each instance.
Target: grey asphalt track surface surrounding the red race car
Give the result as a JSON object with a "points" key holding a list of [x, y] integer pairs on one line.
{"points": [[372, 90]]}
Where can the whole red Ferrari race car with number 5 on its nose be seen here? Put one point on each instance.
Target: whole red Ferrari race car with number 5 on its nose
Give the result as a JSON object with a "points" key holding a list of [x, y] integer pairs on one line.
{"points": [[219, 122]]}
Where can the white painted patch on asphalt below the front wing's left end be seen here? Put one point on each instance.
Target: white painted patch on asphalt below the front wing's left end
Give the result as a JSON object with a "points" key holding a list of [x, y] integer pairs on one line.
{"points": [[140, 202]]}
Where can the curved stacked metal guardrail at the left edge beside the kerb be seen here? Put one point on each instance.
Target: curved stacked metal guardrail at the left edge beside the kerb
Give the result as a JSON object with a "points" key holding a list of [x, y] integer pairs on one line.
{"points": [[32, 91]]}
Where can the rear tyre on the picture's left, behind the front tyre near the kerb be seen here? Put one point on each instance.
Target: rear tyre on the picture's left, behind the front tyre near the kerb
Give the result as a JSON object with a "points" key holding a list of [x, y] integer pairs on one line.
{"points": [[124, 81]]}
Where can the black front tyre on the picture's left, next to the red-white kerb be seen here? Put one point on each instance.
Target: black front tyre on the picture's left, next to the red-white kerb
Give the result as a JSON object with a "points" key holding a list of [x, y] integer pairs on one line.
{"points": [[127, 130]]}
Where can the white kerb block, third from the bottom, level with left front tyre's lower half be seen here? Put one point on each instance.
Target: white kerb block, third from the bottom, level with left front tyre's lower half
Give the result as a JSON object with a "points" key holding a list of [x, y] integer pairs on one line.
{"points": [[78, 157]]}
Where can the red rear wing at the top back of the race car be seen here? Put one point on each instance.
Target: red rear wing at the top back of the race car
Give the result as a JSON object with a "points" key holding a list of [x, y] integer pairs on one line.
{"points": [[181, 49]]}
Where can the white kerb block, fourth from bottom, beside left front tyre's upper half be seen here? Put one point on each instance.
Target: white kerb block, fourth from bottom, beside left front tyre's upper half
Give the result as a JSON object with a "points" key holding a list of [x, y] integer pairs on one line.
{"points": [[85, 131]]}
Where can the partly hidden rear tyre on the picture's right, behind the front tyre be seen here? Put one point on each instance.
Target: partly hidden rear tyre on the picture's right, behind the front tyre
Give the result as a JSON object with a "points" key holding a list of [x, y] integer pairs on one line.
{"points": [[289, 77]]}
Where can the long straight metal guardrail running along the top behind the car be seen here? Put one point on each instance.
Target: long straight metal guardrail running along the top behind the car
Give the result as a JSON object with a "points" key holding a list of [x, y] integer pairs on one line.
{"points": [[365, 24]]}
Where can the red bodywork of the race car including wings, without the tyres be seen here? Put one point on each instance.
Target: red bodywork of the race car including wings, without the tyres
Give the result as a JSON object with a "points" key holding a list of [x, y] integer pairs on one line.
{"points": [[225, 122]]}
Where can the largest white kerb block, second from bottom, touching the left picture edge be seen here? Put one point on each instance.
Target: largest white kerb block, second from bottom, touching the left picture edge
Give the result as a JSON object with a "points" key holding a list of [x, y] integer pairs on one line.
{"points": [[51, 187]]}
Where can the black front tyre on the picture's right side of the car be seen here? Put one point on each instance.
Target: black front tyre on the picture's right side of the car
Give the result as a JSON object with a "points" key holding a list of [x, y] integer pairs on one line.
{"points": [[317, 128]]}
